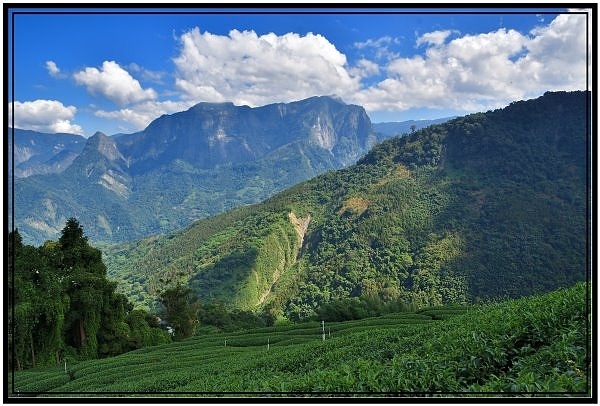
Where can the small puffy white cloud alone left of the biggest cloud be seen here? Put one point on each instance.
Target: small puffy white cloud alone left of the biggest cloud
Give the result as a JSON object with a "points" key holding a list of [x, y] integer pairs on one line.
{"points": [[114, 83]]}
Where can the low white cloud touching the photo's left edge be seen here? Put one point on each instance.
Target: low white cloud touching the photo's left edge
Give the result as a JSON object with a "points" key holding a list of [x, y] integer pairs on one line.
{"points": [[45, 116]]}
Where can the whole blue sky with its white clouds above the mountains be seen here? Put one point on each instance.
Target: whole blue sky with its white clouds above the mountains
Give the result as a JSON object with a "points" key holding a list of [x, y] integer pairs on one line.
{"points": [[113, 72]]}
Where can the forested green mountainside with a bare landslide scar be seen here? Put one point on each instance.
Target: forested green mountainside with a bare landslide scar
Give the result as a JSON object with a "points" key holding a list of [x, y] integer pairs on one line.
{"points": [[490, 205]]}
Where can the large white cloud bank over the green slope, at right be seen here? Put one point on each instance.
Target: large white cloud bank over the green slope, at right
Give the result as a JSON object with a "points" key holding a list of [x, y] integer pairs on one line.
{"points": [[483, 71]]}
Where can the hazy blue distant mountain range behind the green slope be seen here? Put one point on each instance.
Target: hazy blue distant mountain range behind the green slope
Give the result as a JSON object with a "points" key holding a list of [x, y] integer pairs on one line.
{"points": [[182, 167]]}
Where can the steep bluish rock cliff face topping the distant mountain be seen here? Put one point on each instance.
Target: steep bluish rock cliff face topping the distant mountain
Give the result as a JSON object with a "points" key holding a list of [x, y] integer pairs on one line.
{"points": [[211, 134]]}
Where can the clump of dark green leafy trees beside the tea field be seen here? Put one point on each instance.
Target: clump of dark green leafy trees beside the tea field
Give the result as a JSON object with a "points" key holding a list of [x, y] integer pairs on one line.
{"points": [[61, 302]]}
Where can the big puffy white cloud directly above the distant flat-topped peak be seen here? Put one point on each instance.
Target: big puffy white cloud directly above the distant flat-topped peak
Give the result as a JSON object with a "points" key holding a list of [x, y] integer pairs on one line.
{"points": [[246, 68]]}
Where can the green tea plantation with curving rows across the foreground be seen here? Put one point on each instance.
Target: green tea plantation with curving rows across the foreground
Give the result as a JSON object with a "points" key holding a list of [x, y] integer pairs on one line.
{"points": [[535, 346]]}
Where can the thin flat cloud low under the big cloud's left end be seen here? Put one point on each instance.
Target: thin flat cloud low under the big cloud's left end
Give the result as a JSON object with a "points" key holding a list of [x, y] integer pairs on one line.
{"points": [[139, 116]]}
